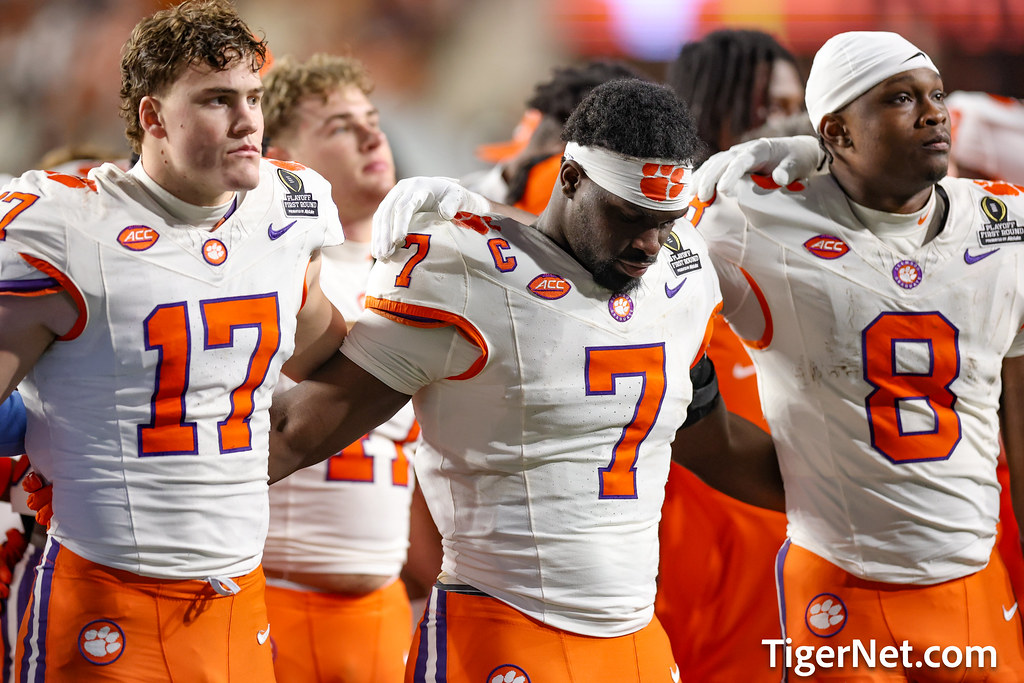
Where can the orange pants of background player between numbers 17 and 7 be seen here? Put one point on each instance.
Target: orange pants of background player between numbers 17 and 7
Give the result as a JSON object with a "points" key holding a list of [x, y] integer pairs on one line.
{"points": [[322, 637]]}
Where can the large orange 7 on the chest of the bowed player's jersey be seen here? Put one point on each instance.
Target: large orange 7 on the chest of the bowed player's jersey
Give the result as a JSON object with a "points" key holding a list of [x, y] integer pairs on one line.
{"points": [[605, 366]]}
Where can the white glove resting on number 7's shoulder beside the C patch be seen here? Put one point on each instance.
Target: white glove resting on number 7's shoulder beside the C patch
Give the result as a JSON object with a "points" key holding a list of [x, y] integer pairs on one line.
{"points": [[443, 197]]}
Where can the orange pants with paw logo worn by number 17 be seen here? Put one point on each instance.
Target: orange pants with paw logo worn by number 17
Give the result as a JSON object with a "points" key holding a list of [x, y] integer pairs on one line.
{"points": [[88, 622]]}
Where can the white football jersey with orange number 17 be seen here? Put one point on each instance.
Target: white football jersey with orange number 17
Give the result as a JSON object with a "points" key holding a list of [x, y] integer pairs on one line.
{"points": [[151, 416]]}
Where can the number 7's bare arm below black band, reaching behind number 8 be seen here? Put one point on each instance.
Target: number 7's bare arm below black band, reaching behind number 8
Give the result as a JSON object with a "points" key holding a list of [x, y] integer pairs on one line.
{"points": [[734, 456]]}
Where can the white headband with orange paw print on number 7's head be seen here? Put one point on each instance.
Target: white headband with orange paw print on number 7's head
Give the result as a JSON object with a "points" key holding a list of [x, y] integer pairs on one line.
{"points": [[648, 183]]}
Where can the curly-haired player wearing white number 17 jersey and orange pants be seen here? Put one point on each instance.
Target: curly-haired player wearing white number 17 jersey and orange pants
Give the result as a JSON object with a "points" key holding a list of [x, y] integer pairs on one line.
{"points": [[167, 302]]}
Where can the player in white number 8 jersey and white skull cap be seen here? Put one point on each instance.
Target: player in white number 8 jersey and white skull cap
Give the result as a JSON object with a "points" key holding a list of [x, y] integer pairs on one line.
{"points": [[882, 305]]}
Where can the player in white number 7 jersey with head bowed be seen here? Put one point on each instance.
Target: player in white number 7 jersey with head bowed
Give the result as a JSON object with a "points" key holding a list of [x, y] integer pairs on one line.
{"points": [[550, 368]]}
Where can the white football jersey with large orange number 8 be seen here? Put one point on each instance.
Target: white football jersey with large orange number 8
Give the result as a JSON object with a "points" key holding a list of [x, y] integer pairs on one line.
{"points": [[880, 372]]}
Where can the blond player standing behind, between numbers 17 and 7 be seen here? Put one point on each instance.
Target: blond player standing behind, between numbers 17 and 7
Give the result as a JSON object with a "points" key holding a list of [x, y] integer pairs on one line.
{"points": [[339, 532]]}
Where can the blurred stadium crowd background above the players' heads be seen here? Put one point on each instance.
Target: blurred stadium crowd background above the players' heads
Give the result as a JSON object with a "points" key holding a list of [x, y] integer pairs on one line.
{"points": [[454, 74]]}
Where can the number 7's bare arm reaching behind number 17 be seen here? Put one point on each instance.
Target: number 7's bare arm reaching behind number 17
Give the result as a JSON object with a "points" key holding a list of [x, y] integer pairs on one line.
{"points": [[336, 406]]}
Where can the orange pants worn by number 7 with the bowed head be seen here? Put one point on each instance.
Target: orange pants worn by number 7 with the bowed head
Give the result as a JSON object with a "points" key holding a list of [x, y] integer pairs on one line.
{"points": [[472, 638]]}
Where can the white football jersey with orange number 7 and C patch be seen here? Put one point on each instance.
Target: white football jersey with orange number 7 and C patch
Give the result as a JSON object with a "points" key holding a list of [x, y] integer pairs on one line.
{"points": [[547, 420]]}
